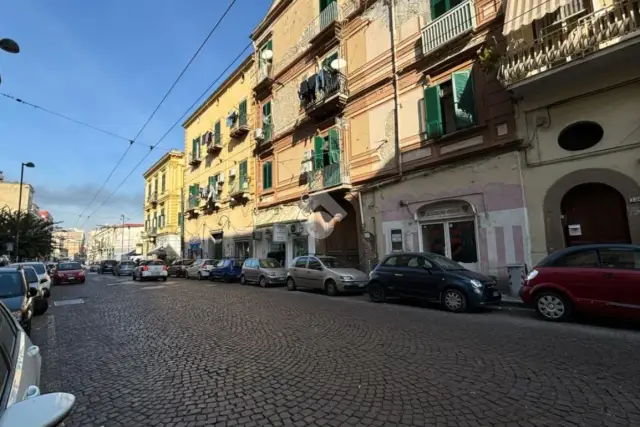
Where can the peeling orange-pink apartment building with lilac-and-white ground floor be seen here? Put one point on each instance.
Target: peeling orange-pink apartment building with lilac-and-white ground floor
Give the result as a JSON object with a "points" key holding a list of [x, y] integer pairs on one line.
{"points": [[382, 110]]}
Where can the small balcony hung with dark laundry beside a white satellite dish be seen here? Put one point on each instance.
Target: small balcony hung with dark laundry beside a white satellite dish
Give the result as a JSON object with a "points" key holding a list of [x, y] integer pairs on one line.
{"points": [[328, 98]]}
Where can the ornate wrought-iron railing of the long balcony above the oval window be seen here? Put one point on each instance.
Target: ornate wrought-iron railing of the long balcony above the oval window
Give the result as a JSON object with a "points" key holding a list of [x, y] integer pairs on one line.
{"points": [[575, 39]]}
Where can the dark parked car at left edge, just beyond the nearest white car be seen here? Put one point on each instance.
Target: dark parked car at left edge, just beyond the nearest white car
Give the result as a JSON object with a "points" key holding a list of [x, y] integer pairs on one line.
{"points": [[18, 294]]}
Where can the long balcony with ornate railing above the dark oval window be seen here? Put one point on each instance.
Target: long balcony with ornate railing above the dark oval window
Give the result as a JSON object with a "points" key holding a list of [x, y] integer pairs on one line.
{"points": [[571, 41]]}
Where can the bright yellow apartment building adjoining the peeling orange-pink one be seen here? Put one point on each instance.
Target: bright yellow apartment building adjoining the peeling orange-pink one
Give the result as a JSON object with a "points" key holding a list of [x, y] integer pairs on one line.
{"points": [[219, 177]]}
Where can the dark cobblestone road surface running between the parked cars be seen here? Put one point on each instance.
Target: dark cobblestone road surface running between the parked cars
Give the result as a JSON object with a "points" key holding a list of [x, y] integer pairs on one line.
{"points": [[188, 353]]}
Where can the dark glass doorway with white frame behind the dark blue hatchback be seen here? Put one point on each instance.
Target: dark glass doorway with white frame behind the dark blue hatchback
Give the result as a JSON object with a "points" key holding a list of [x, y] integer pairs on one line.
{"points": [[455, 239]]}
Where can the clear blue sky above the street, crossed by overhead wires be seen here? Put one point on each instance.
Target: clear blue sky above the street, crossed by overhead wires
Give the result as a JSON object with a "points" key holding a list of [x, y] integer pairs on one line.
{"points": [[109, 64]]}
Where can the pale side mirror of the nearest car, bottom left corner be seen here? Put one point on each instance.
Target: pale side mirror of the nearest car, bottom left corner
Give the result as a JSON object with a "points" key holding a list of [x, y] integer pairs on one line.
{"points": [[46, 410]]}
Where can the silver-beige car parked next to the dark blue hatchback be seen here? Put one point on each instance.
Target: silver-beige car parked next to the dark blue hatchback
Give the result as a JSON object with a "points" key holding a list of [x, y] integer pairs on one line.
{"points": [[326, 273]]}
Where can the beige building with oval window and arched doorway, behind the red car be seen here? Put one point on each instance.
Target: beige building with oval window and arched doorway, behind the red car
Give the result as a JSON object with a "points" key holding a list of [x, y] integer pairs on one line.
{"points": [[573, 68]]}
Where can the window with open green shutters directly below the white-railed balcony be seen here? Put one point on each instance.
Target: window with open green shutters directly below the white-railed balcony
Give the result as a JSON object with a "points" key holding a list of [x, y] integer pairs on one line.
{"points": [[450, 106]]}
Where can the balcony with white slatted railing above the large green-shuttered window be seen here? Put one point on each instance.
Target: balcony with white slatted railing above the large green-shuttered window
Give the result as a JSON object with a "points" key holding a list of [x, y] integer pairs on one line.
{"points": [[454, 23]]}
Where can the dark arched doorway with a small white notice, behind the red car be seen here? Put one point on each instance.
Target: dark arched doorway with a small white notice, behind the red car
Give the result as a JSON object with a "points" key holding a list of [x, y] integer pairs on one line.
{"points": [[594, 213]]}
